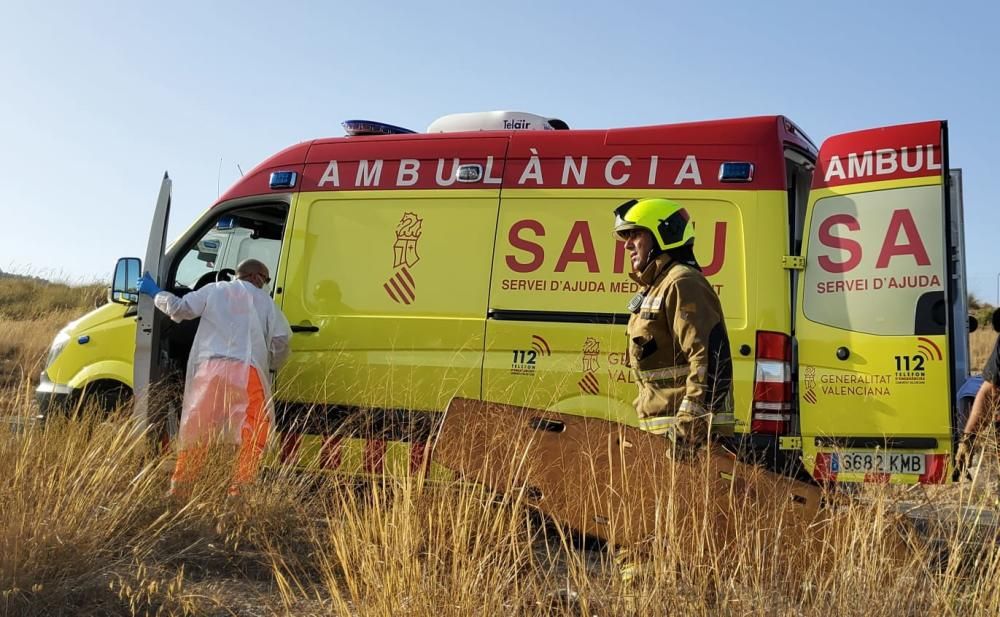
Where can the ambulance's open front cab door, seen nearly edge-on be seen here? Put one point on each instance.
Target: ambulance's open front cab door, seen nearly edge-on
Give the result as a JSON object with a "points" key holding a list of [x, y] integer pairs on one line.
{"points": [[145, 338]]}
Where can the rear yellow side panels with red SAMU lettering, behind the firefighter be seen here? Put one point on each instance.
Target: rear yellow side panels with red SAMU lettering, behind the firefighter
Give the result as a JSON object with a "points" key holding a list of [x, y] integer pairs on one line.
{"points": [[549, 261]]}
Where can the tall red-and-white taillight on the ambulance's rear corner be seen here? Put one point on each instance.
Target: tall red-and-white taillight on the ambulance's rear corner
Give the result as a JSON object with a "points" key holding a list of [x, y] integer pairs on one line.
{"points": [[772, 391]]}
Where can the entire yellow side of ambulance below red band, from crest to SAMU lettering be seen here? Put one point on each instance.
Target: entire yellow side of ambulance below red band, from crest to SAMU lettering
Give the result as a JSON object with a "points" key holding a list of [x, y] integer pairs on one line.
{"points": [[398, 286]]}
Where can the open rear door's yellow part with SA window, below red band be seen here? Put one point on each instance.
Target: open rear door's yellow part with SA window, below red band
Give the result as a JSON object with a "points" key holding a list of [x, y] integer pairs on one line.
{"points": [[864, 374]]}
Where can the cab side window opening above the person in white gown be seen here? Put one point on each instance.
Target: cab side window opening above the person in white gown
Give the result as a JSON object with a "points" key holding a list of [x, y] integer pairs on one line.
{"points": [[254, 233]]}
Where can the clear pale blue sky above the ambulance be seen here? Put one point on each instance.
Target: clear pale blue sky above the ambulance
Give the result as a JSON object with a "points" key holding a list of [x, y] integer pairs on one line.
{"points": [[98, 100]]}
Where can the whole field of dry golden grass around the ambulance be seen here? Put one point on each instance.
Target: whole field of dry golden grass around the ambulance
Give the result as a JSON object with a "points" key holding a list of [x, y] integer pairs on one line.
{"points": [[85, 529]]}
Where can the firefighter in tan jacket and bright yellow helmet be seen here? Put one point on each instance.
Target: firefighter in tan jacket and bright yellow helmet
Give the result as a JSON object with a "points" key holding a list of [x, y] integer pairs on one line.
{"points": [[677, 341]]}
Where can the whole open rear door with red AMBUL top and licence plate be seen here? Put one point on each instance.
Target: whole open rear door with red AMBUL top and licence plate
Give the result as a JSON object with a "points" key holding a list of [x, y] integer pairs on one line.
{"points": [[873, 323]]}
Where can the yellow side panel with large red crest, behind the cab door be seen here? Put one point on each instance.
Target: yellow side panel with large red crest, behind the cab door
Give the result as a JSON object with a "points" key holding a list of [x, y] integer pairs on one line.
{"points": [[396, 285]]}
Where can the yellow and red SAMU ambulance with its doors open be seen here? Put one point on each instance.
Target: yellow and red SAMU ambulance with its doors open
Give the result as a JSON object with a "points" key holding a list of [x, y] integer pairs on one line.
{"points": [[476, 259]]}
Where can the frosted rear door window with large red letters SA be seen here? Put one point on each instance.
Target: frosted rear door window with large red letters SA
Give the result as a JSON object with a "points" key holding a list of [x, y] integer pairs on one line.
{"points": [[874, 259]]}
